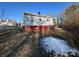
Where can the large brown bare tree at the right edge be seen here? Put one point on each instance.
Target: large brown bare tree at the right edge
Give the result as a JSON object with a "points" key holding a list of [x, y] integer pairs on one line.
{"points": [[71, 22]]}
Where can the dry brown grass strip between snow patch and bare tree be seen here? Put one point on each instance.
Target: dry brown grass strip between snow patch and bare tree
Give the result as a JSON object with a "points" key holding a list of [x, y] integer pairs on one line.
{"points": [[63, 34]]}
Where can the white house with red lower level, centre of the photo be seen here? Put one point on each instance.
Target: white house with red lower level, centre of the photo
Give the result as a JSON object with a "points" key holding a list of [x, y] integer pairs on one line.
{"points": [[37, 22]]}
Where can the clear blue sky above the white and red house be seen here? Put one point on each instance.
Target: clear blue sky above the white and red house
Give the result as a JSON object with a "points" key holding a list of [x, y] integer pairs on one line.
{"points": [[14, 10]]}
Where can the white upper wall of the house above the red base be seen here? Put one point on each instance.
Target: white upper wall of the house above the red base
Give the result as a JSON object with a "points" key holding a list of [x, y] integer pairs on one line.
{"points": [[36, 21]]}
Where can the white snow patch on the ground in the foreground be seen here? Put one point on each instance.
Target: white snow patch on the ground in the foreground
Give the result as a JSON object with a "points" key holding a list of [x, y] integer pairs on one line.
{"points": [[56, 44]]}
